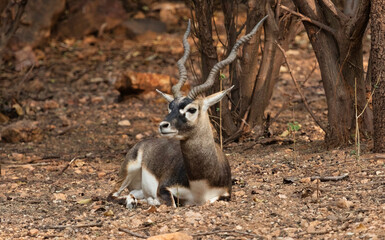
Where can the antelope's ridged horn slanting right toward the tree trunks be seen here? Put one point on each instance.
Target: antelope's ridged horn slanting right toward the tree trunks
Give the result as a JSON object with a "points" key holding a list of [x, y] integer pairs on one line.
{"points": [[218, 66]]}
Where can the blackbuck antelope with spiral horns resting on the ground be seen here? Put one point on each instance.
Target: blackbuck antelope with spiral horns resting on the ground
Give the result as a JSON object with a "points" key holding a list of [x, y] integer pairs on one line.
{"points": [[186, 166]]}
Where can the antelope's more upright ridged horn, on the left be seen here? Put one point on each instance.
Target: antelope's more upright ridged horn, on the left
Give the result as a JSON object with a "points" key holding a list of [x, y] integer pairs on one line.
{"points": [[182, 69]]}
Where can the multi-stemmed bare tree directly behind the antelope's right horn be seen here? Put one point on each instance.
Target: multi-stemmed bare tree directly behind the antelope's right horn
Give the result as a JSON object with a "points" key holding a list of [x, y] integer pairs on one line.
{"points": [[255, 73]]}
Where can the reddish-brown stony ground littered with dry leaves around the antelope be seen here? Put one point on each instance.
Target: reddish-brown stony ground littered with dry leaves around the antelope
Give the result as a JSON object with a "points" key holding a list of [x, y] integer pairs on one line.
{"points": [[71, 97]]}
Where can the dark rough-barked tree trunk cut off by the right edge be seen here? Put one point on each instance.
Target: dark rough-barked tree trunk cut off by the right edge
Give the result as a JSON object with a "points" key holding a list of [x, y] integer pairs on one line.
{"points": [[377, 64]]}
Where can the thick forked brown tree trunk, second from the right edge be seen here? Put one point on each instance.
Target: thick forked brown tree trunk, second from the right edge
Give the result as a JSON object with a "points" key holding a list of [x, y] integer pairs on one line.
{"points": [[339, 54]]}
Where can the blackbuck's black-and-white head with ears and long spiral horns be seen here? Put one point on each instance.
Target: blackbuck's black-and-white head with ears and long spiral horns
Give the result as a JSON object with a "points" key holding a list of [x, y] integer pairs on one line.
{"points": [[188, 114]]}
